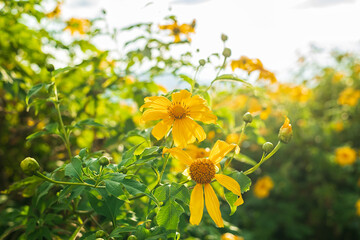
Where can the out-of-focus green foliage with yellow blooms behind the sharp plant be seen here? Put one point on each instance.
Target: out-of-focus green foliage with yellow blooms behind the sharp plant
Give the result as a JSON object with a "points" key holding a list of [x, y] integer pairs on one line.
{"points": [[308, 190]]}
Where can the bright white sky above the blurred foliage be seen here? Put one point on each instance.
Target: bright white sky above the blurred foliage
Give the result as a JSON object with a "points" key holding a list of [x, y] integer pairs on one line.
{"points": [[275, 31]]}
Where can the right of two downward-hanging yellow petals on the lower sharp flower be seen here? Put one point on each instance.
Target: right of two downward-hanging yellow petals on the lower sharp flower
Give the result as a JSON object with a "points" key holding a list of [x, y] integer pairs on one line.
{"points": [[213, 205]]}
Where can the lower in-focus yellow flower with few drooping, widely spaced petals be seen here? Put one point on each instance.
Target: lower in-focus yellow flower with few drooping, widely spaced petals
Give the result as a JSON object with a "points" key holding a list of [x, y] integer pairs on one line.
{"points": [[203, 171]]}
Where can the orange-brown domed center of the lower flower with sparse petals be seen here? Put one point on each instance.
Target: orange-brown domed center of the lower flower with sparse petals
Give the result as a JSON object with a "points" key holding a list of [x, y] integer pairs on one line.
{"points": [[202, 170]]}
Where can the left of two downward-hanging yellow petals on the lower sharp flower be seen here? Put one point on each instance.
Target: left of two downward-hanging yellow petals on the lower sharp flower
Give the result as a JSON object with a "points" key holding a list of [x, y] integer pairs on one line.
{"points": [[196, 204]]}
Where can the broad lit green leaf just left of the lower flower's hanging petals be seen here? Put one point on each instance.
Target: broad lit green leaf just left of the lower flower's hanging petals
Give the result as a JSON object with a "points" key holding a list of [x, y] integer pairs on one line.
{"points": [[169, 215]]}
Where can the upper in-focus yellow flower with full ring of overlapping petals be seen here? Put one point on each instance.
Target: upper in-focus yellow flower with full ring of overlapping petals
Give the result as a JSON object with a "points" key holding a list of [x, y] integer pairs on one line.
{"points": [[179, 114]]}
